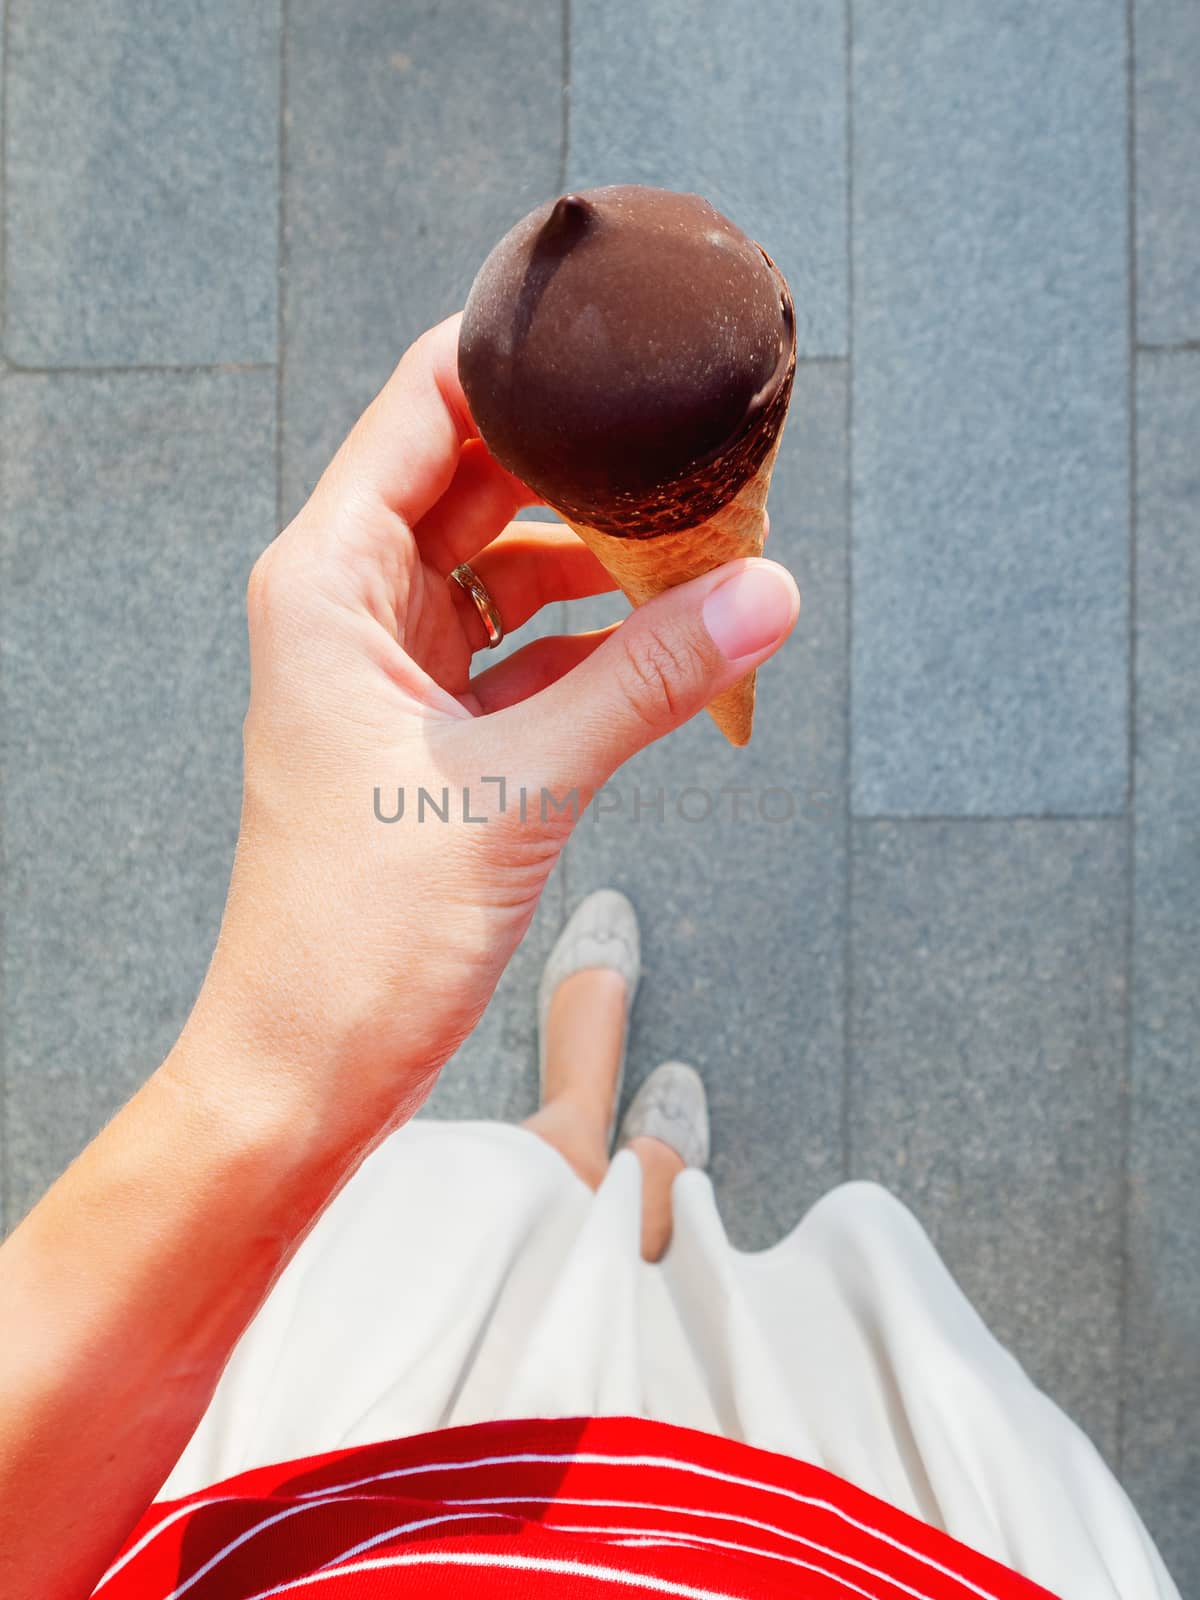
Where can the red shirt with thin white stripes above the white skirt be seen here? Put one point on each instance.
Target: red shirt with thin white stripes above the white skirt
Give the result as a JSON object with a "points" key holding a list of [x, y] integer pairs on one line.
{"points": [[598, 1508]]}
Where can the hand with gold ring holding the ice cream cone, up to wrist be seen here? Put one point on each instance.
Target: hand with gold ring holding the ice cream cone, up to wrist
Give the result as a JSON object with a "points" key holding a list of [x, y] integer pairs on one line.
{"points": [[356, 954]]}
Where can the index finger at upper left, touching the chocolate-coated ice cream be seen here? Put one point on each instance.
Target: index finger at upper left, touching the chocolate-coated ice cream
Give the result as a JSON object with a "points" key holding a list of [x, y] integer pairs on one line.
{"points": [[406, 446]]}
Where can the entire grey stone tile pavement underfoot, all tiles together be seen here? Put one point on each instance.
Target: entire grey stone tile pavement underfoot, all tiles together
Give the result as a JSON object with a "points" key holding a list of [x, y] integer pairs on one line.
{"points": [[938, 1001]]}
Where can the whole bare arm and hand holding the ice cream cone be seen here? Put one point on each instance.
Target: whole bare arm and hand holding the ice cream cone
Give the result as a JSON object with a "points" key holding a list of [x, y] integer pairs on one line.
{"points": [[354, 956]]}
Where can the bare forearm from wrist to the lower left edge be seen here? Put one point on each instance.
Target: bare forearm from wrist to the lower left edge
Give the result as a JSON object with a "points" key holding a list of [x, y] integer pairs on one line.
{"points": [[124, 1292]]}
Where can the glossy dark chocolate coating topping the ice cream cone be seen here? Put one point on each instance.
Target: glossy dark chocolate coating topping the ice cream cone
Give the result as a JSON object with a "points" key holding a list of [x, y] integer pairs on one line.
{"points": [[628, 353]]}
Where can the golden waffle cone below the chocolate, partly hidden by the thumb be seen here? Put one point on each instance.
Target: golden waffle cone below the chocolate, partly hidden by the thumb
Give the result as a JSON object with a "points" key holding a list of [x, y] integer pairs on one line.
{"points": [[646, 567]]}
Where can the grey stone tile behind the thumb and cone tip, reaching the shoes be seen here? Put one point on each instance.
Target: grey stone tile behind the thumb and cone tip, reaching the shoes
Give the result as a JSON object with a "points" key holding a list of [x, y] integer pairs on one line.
{"points": [[742, 916]]}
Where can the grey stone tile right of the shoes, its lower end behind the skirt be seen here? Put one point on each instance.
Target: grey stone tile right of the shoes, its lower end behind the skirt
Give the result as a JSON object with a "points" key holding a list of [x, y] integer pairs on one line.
{"points": [[986, 1087]]}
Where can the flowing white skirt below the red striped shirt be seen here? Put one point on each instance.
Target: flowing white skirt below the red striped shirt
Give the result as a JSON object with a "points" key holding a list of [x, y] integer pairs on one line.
{"points": [[466, 1274]]}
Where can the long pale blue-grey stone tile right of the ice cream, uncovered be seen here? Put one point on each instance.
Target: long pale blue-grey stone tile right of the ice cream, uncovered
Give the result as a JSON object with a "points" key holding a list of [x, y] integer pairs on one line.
{"points": [[991, 410]]}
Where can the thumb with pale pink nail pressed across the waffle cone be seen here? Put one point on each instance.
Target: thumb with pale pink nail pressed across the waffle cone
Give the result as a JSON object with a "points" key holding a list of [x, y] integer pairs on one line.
{"points": [[663, 665]]}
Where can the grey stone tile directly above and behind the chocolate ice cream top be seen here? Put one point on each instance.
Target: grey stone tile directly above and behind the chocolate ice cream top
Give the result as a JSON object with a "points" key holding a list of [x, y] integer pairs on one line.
{"points": [[743, 105]]}
